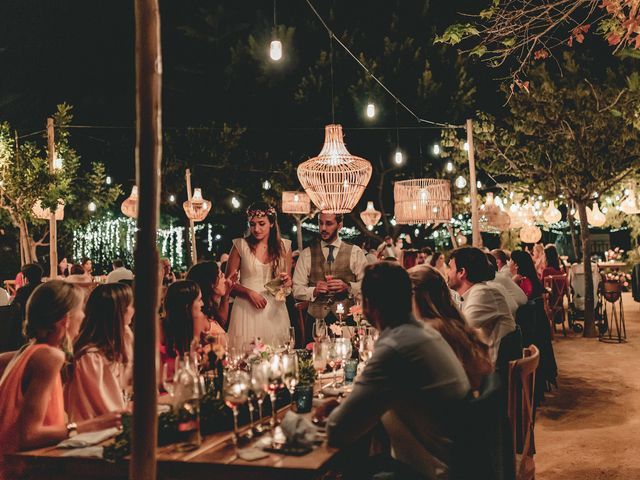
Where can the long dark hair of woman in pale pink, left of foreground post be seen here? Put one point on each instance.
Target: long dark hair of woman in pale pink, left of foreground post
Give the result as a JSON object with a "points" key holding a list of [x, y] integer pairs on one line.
{"points": [[103, 326]]}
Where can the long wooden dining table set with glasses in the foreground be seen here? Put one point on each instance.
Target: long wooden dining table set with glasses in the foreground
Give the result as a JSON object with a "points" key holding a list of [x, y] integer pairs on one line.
{"points": [[214, 459]]}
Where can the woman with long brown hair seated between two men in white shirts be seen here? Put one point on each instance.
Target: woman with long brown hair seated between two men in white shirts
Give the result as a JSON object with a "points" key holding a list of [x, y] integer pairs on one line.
{"points": [[432, 303]]}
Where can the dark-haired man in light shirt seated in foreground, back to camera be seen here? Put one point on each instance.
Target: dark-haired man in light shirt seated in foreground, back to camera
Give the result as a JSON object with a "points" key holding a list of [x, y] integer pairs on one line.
{"points": [[413, 382]]}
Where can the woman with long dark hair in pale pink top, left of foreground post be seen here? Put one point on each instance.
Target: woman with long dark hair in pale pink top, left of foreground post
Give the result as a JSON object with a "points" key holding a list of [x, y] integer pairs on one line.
{"points": [[101, 367]]}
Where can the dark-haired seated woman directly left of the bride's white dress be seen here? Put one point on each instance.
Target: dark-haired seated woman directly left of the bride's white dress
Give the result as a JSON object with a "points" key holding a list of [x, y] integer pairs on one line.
{"points": [[215, 289]]}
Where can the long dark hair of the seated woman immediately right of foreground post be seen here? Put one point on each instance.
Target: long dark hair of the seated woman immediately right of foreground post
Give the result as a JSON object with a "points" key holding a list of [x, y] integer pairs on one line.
{"points": [[178, 322]]}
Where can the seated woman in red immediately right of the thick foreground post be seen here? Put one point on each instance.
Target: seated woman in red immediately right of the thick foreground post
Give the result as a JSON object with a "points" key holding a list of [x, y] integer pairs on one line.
{"points": [[184, 321]]}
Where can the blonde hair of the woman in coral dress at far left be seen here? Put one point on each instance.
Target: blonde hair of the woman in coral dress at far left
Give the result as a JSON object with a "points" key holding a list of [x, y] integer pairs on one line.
{"points": [[47, 305]]}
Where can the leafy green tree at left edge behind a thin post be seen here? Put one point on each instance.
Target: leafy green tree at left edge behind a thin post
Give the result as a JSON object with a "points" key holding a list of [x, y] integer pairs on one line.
{"points": [[25, 179]]}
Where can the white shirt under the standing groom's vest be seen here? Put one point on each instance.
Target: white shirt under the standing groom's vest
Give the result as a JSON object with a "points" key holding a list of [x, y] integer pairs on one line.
{"points": [[301, 289]]}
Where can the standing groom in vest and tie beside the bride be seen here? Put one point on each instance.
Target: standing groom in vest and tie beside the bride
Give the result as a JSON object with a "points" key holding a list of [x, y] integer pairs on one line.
{"points": [[328, 272]]}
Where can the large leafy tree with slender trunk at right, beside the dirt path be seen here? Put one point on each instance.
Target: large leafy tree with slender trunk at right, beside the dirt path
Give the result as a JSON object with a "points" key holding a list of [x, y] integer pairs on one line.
{"points": [[568, 136]]}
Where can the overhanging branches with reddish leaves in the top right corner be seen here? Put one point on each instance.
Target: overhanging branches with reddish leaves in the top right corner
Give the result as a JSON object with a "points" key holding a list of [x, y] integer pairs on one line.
{"points": [[518, 33]]}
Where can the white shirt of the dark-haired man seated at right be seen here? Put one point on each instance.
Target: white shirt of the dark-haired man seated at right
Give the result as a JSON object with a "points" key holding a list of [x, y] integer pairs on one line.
{"points": [[486, 308]]}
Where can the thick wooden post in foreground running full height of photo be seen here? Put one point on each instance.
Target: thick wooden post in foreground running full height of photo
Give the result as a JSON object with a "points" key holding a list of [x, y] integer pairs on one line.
{"points": [[148, 163]]}
